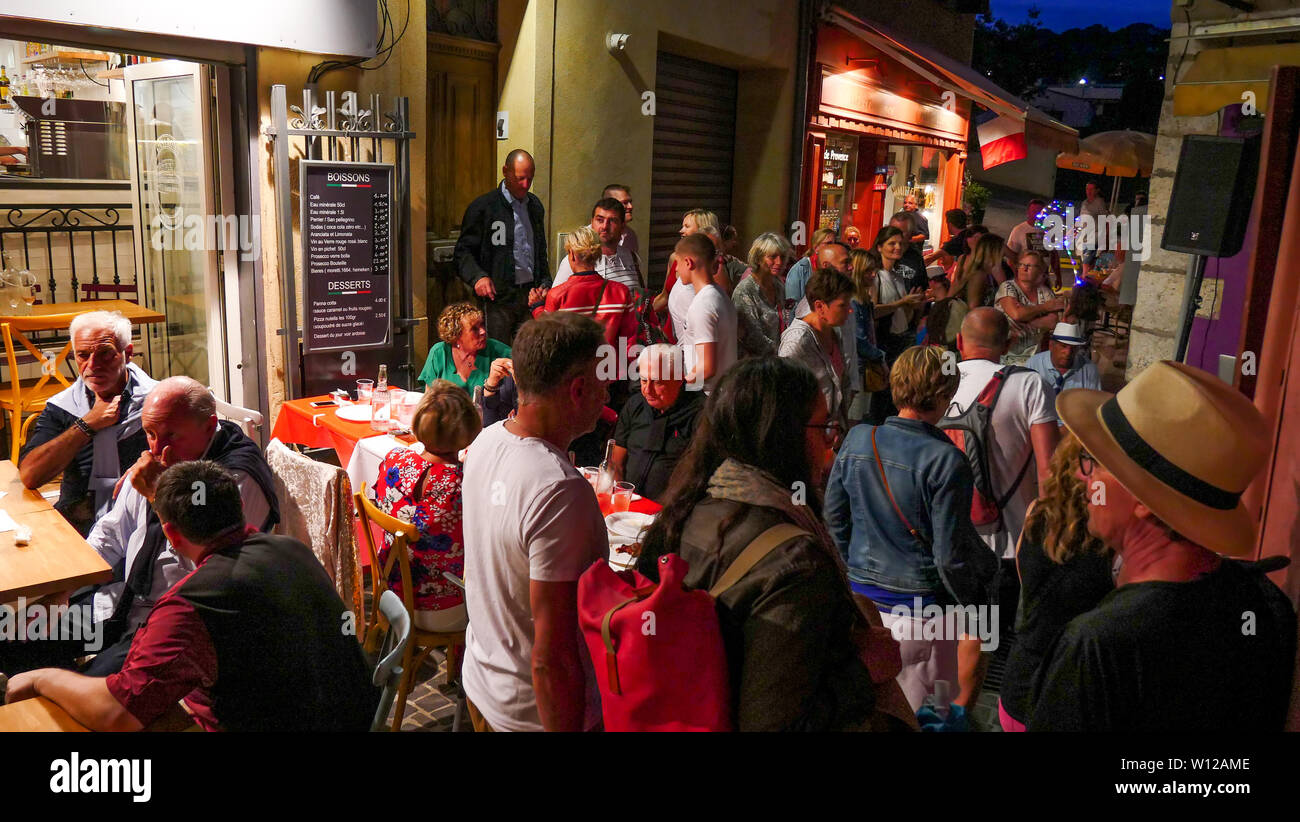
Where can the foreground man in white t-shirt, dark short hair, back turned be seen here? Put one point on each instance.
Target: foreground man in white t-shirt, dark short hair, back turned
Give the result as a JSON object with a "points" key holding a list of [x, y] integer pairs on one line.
{"points": [[532, 527]]}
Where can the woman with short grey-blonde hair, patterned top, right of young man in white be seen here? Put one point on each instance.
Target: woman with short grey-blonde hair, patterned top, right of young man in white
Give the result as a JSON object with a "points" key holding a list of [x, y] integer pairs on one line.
{"points": [[761, 297]]}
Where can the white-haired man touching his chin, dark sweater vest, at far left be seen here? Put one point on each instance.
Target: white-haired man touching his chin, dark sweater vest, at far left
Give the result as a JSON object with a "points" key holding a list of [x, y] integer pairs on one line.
{"points": [[92, 431]]}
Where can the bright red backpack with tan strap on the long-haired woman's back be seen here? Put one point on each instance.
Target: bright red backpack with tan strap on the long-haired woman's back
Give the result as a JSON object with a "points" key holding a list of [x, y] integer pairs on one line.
{"points": [[658, 648]]}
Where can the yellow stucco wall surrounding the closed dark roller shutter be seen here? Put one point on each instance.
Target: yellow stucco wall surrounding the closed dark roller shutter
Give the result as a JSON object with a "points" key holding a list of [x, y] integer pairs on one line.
{"points": [[587, 128]]}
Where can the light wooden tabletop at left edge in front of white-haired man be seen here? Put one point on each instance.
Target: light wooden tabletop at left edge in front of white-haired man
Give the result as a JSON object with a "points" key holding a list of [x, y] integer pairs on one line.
{"points": [[57, 559]]}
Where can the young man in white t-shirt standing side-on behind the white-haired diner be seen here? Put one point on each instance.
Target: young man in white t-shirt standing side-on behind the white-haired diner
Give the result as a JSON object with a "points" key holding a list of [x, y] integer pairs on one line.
{"points": [[709, 339]]}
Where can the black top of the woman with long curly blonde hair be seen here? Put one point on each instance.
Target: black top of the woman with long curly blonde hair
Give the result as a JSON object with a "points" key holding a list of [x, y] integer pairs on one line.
{"points": [[1051, 596]]}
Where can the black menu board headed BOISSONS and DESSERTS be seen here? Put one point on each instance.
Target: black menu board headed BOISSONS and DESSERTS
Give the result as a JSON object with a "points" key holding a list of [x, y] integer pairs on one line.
{"points": [[348, 252]]}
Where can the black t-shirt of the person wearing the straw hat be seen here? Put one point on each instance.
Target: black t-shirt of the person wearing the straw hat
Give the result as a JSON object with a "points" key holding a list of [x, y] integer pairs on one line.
{"points": [[1211, 655]]}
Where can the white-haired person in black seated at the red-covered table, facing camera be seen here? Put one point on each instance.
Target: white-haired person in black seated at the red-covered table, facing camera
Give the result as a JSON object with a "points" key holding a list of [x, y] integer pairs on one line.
{"points": [[657, 425]]}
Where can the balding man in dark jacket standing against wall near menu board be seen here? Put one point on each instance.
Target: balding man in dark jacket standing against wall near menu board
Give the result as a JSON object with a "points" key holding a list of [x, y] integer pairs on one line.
{"points": [[502, 249]]}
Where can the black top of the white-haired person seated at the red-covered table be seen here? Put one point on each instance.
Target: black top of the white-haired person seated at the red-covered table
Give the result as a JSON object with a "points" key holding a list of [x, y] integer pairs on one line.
{"points": [[656, 442]]}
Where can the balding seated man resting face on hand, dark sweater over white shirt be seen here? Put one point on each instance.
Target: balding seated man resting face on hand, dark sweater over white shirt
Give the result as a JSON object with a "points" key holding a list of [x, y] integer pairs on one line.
{"points": [[181, 426]]}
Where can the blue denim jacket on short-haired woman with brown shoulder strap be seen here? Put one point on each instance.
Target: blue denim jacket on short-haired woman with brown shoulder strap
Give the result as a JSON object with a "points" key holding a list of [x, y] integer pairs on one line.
{"points": [[933, 484]]}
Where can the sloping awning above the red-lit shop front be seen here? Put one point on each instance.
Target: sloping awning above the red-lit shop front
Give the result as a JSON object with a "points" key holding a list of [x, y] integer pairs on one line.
{"points": [[938, 68]]}
